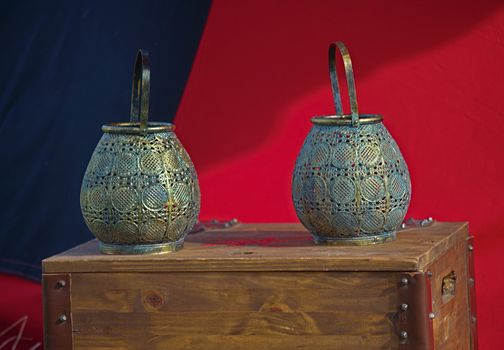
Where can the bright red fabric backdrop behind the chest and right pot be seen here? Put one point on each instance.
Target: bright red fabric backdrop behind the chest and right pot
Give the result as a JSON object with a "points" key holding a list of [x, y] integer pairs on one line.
{"points": [[432, 68]]}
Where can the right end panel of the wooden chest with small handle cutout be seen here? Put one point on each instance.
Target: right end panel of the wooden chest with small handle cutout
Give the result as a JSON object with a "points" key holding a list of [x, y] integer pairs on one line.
{"points": [[451, 325]]}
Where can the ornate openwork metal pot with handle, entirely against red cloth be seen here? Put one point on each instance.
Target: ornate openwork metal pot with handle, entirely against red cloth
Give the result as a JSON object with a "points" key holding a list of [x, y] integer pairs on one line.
{"points": [[351, 185]]}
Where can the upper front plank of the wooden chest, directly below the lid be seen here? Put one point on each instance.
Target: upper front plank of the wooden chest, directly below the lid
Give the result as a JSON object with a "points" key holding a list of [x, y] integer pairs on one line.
{"points": [[232, 291]]}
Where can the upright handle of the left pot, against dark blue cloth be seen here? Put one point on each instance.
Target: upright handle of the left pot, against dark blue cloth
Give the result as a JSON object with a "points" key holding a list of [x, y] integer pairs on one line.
{"points": [[140, 90]]}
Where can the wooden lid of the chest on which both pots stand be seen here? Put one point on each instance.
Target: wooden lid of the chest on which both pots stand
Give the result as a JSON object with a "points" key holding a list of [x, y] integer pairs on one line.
{"points": [[269, 247]]}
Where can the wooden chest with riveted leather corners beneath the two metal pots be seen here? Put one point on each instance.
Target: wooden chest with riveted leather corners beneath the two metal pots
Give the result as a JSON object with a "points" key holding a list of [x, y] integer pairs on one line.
{"points": [[267, 286]]}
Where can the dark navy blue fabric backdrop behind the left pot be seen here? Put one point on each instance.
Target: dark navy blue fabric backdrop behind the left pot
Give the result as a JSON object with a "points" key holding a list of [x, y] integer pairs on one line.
{"points": [[65, 69]]}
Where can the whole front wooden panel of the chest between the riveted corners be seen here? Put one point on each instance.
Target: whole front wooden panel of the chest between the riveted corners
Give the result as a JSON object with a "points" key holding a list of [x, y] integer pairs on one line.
{"points": [[234, 310]]}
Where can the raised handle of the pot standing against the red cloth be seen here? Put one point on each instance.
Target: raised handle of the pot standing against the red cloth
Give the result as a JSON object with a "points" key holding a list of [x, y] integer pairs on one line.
{"points": [[349, 77]]}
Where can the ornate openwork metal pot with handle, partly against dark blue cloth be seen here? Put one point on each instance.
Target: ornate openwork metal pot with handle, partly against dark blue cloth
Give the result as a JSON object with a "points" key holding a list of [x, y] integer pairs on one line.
{"points": [[140, 192]]}
